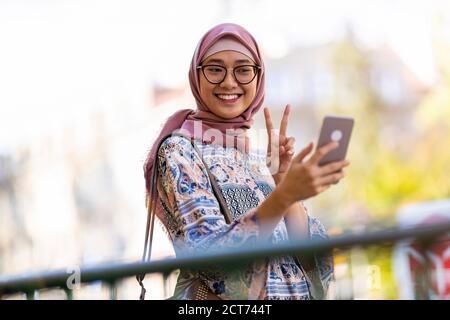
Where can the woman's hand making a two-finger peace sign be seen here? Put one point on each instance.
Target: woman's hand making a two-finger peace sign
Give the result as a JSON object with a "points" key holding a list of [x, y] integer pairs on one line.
{"points": [[280, 147]]}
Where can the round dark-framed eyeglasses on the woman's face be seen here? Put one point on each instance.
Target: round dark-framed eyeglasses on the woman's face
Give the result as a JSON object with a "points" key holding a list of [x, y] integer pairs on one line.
{"points": [[215, 74]]}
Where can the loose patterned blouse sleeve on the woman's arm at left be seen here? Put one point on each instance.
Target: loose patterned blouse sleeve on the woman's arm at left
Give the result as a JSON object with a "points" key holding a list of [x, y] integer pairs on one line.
{"points": [[199, 223]]}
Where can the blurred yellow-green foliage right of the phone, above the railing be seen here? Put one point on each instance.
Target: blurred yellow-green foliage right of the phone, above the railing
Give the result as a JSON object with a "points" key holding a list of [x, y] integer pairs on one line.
{"points": [[388, 170]]}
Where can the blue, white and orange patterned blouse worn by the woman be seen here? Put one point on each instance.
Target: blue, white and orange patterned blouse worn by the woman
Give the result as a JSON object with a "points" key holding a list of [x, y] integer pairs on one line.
{"points": [[194, 220]]}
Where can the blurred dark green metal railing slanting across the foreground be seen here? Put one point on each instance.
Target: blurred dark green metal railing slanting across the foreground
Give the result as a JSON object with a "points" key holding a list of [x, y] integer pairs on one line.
{"points": [[111, 273]]}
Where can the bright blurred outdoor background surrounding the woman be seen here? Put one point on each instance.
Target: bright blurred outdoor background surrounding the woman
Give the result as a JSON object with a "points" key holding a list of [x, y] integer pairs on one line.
{"points": [[86, 85]]}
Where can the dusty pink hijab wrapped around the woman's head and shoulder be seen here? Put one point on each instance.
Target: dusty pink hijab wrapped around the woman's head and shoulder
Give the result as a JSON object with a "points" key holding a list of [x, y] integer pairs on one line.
{"points": [[185, 119]]}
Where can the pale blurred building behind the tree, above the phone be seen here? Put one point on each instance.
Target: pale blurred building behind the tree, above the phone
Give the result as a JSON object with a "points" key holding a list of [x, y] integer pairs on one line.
{"points": [[305, 78]]}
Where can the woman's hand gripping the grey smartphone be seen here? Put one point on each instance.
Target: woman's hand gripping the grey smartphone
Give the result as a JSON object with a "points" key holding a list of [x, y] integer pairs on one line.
{"points": [[305, 179]]}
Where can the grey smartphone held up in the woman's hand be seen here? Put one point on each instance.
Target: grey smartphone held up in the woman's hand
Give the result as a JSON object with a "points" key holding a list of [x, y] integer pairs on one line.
{"points": [[337, 129]]}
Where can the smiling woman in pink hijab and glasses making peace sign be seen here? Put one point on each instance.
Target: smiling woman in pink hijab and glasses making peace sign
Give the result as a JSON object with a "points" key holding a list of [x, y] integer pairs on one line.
{"points": [[263, 197]]}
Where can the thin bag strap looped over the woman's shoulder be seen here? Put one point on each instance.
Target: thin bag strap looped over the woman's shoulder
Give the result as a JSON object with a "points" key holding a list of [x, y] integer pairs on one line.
{"points": [[151, 206]]}
